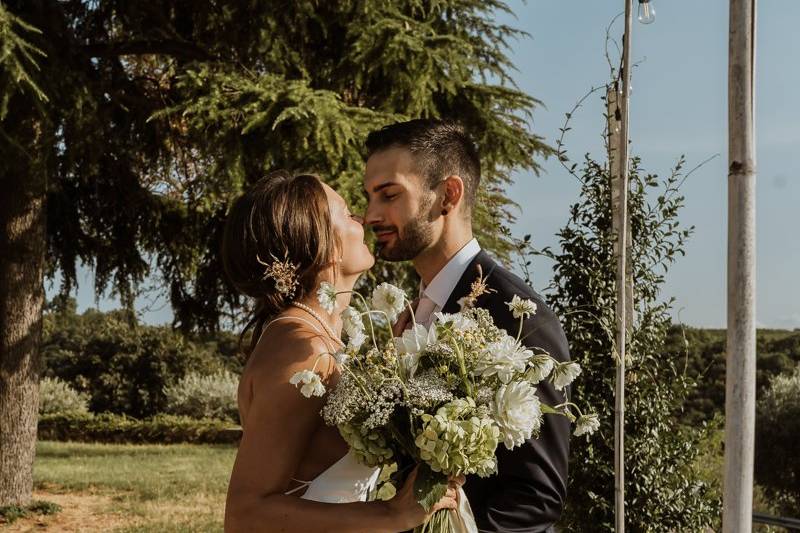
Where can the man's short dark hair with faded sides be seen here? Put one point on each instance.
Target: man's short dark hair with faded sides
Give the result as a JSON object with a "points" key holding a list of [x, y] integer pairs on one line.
{"points": [[440, 148]]}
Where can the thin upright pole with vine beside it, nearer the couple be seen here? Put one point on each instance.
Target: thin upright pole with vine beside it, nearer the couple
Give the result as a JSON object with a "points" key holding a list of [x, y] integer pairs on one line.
{"points": [[621, 235]]}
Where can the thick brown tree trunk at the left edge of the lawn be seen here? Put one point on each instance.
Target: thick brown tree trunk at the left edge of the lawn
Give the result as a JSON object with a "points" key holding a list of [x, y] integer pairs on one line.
{"points": [[24, 158]]}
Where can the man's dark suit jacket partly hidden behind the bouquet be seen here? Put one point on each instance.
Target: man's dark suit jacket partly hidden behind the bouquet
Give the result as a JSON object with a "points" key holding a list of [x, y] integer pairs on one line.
{"points": [[529, 490]]}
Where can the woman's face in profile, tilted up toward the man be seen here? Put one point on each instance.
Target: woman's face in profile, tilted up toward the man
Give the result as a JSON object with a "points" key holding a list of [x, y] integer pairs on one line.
{"points": [[354, 254]]}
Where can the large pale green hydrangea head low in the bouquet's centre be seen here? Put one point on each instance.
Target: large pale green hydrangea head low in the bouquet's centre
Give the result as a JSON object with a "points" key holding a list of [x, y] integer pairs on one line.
{"points": [[459, 439]]}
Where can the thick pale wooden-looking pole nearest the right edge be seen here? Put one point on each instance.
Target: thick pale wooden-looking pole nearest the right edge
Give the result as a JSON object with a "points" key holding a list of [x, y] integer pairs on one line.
{"points": [[741, 337]]}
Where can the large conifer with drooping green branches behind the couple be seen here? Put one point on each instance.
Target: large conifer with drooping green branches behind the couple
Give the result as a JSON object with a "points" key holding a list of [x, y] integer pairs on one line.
{"points": [[158, 113]]}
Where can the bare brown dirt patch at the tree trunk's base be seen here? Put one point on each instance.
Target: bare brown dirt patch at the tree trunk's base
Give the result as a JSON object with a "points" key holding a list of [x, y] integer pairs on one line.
{"points": [[81, 512]]}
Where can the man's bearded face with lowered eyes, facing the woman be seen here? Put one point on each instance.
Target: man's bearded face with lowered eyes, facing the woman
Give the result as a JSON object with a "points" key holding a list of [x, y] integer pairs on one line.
{"points": [[400, 205]]}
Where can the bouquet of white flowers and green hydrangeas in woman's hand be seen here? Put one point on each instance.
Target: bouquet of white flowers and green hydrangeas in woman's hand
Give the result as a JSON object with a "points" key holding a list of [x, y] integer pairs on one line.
{"points": [[445, 396]]}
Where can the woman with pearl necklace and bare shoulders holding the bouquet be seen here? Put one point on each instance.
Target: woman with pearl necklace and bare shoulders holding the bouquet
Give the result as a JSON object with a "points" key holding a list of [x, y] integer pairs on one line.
{"points": [[284, 237]]}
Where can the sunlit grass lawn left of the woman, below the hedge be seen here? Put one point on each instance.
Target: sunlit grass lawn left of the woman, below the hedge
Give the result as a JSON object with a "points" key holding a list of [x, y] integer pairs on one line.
{"points": [[131, 488]]}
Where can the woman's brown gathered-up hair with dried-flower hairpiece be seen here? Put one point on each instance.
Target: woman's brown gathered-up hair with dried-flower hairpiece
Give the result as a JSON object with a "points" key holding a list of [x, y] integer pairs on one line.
{"points": [[283, 218]]}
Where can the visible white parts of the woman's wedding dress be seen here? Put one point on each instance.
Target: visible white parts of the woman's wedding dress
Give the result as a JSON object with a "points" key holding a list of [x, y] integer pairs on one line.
{"points": [[347, 481]]}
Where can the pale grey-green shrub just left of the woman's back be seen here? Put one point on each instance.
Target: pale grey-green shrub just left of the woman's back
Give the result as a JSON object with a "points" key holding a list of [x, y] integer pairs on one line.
{"points": [[198, 396]]}
